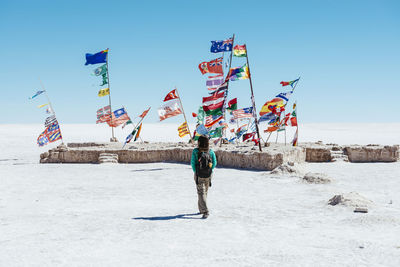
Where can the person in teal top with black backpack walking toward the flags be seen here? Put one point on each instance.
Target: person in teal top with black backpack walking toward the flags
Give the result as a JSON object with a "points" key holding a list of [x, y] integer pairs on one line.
{"points": [[203, 163]]}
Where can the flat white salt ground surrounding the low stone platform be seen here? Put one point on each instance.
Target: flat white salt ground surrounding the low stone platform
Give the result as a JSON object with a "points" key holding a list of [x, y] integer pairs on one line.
{"points": [[134, 215]]}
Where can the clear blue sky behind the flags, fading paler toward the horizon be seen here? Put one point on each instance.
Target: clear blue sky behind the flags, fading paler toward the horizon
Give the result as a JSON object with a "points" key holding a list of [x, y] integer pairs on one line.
{"points": [[347, 53]]}
